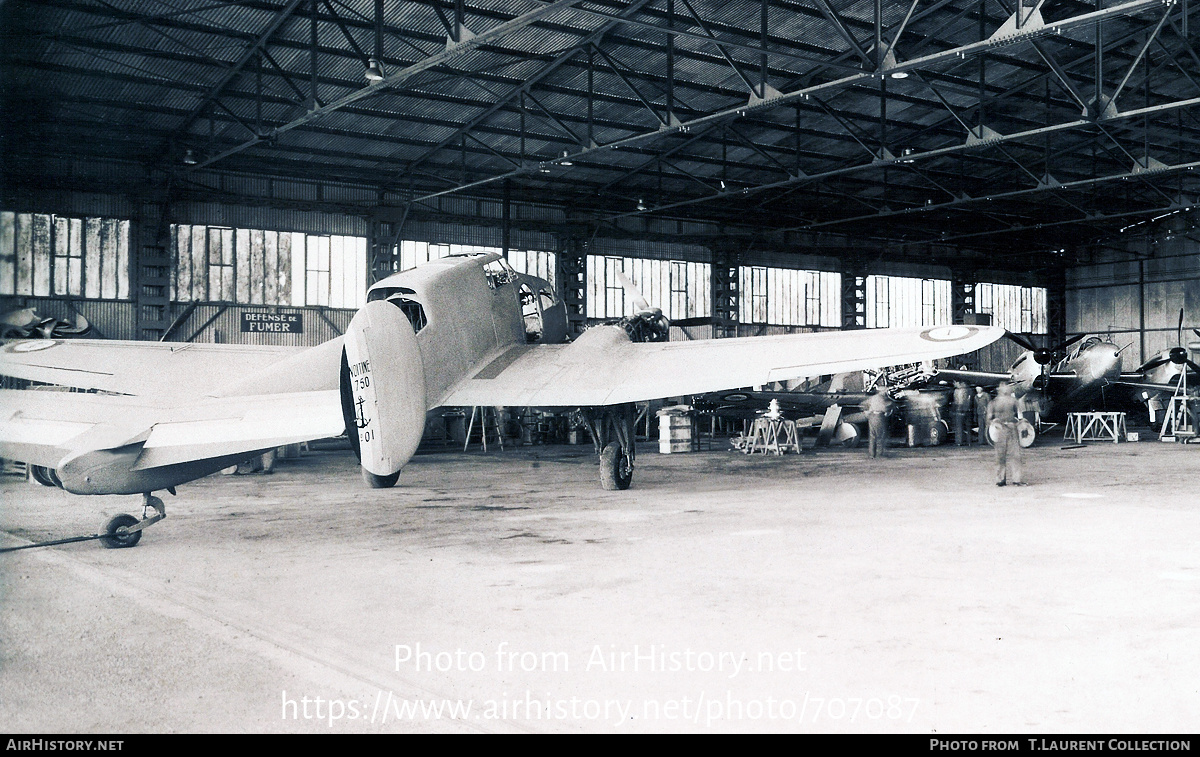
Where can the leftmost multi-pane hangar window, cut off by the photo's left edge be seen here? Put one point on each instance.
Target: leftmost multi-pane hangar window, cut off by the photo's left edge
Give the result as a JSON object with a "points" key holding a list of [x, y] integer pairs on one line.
{"points": [[44, 255]]}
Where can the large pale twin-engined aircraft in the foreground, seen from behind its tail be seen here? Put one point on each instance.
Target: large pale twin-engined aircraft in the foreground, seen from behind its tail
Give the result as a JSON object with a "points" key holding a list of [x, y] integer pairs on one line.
{"points": [[466, 331]]}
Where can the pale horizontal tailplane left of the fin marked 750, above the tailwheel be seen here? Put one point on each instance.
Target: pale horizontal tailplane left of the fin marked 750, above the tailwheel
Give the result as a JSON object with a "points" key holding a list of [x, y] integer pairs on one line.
{"points": [[45, 428]]}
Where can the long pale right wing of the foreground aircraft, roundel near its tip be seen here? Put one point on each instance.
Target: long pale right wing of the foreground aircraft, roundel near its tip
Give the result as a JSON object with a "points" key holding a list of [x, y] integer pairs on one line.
{"points": [[604, 368]]}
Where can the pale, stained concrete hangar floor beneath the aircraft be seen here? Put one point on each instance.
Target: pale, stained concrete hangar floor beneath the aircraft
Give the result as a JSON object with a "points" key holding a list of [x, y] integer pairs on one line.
{"points": [[815, 593]]}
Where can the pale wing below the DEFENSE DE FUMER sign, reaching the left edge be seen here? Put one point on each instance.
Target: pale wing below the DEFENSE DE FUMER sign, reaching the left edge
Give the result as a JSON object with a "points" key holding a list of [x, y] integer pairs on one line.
{"points": [[171, 369]]}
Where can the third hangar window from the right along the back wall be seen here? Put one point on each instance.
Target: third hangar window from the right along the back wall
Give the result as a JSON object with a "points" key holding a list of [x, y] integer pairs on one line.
{"points": [[789, 298]]}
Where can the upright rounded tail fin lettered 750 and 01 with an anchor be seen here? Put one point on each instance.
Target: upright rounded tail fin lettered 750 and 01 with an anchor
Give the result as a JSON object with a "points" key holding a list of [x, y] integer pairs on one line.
{"points": [[383, 390]]}
